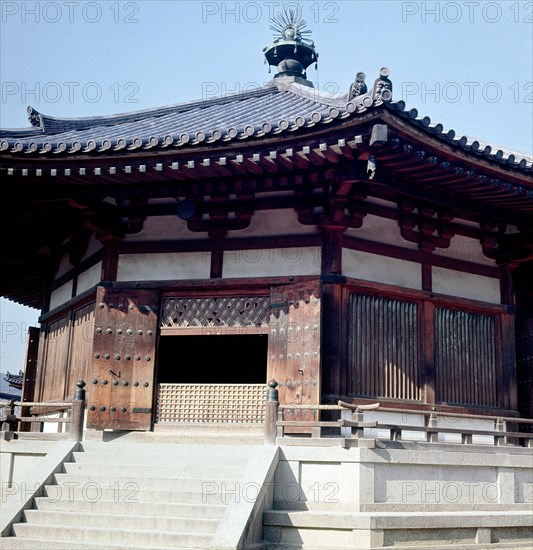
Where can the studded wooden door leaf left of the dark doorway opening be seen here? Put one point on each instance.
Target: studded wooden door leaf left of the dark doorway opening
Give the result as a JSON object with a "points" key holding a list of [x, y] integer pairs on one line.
{"points": [[121, 388]]}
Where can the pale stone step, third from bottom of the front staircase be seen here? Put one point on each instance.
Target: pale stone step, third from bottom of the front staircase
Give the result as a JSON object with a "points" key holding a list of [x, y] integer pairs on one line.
{"points": [[183, 510]]}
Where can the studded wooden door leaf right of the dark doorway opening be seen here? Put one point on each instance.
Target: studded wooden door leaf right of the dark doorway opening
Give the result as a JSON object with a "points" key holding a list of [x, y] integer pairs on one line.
{"points": [[294, 345]]}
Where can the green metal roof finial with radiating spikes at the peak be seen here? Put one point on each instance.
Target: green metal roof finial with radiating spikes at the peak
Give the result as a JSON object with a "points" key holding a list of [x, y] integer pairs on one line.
{"points": [[291, 51]]}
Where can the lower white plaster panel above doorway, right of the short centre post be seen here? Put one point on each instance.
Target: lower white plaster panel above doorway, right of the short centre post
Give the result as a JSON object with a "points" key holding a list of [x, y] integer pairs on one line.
{"points": [[272, 262]]}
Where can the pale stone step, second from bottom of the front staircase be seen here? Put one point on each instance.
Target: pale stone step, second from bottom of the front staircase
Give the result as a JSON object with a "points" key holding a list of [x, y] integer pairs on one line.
{"points": [[148, 521]]}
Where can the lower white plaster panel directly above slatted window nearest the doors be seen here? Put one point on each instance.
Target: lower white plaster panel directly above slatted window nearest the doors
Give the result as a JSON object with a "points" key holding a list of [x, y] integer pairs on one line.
{"points": [[380, 269]]}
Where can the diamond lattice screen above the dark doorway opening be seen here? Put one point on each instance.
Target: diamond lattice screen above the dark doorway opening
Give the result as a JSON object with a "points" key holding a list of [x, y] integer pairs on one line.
{"points": [[240, 311]]}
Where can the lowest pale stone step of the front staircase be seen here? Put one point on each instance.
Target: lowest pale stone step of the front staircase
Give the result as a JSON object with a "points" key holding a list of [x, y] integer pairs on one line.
{"points": [[132, 537]]}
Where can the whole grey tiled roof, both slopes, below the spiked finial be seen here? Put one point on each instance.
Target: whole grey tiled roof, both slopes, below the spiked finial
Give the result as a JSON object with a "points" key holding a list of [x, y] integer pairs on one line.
{"points": [[278, 107]]}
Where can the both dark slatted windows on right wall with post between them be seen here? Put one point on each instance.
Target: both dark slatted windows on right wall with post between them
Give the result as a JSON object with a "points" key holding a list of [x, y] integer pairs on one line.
{"points": [[451, 356]]}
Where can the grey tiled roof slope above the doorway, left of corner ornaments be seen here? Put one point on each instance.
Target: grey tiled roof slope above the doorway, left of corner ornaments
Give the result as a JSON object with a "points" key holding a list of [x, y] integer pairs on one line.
{"points": [[279, 109]]}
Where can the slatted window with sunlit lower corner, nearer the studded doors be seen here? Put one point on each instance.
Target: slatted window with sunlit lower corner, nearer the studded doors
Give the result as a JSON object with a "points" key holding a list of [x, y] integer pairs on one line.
{"points": [[384, 348]]}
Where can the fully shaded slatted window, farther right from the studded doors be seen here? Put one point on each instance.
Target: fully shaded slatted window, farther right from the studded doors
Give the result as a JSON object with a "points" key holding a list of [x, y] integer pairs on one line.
{"points": [[465, 358]]}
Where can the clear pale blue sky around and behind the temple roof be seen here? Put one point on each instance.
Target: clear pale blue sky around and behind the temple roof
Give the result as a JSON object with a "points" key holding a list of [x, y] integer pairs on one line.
{"points": [[467, 65]]}
